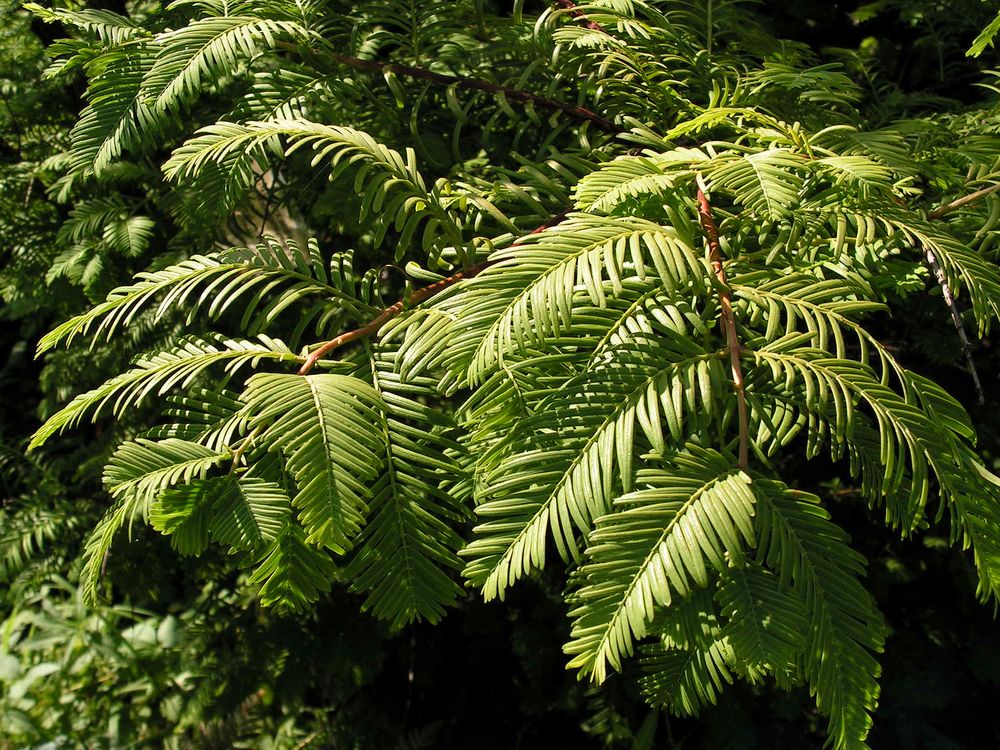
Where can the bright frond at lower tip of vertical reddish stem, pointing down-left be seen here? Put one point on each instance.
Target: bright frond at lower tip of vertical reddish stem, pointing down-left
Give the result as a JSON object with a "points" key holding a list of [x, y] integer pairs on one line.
{"points": [[690, 515]]}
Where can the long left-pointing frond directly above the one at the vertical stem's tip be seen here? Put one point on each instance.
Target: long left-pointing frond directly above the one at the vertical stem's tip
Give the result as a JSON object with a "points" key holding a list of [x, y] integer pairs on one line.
{"points": [[570, 459]]}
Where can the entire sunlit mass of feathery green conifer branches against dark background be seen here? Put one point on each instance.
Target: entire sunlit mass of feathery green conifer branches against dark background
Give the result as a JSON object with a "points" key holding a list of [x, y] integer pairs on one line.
{"points": [[608, 352]]}
